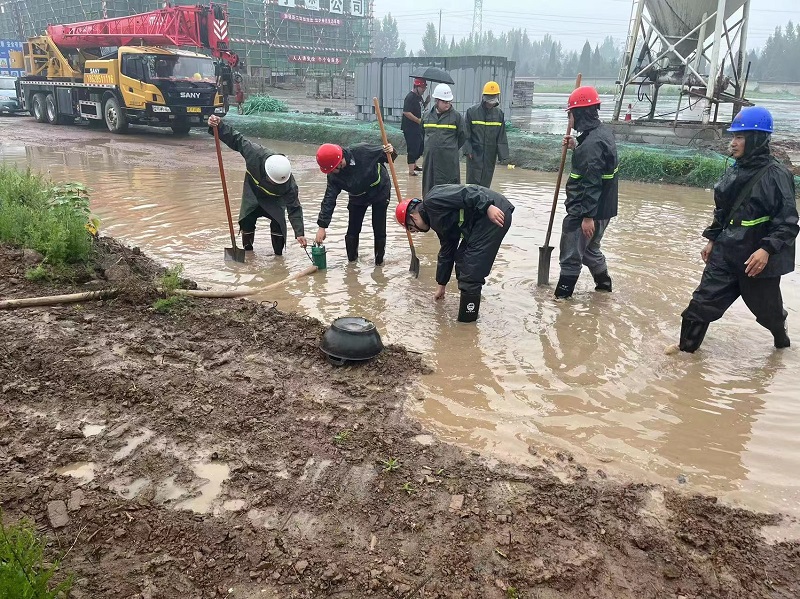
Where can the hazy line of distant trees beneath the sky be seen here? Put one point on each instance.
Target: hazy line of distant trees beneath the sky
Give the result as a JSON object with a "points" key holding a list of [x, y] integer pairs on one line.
{"points": [[776, 61]]}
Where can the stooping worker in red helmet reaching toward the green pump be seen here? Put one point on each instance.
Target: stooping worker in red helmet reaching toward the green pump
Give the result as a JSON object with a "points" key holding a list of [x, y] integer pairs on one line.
{"points": [[361, 171]]}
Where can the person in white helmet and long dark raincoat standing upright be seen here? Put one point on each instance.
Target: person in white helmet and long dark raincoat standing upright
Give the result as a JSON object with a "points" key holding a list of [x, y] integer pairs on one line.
{"points": [[444, 135]]}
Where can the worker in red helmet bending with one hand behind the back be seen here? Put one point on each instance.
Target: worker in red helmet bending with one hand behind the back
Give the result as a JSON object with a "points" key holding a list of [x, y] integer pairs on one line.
{"points": [[471, 222]]}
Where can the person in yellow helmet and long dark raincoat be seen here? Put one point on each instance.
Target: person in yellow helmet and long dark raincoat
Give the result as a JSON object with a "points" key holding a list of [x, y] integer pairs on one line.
{"points": [[486, 136]]}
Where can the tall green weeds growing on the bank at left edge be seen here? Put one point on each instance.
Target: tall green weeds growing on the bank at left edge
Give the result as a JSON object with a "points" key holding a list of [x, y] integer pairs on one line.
{"points": [[54, 220]]}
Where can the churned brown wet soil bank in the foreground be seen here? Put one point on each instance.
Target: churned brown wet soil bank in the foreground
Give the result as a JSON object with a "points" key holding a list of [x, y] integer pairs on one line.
{"points": [[213, 451]]}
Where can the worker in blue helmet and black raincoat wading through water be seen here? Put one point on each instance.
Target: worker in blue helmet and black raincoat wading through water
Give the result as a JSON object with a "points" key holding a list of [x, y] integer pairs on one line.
{"points": [[751, 241]]}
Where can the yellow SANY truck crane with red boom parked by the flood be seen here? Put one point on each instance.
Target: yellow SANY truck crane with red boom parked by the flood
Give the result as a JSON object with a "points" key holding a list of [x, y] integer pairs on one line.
{"points": [[119, 71]]}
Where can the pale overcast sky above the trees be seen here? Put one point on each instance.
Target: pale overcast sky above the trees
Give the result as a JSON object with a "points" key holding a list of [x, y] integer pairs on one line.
{"points": [[571, 21]]}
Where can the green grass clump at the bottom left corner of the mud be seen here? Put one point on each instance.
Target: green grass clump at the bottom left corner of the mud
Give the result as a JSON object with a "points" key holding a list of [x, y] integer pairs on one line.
{"points": [[24, 573]]}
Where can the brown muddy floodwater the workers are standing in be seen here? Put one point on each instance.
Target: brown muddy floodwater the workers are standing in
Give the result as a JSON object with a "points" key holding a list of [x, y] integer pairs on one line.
{"points": [[534, 376]]}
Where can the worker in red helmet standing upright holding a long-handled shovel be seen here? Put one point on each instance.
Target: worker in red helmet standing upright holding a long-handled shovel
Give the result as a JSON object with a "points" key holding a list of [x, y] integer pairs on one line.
{"points": [[592, 193]]}
